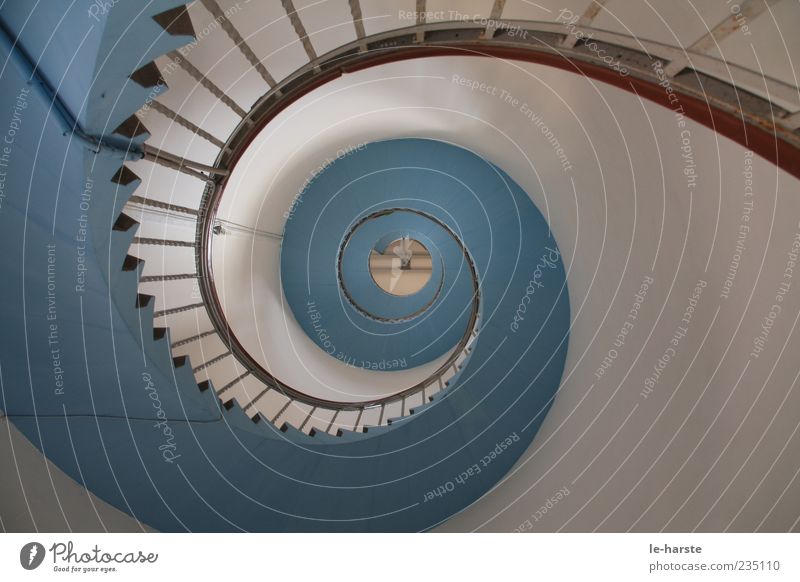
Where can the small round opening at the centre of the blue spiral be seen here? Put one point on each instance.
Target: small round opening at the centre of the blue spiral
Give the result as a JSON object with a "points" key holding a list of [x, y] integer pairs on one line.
{"points": [[403, 268]]}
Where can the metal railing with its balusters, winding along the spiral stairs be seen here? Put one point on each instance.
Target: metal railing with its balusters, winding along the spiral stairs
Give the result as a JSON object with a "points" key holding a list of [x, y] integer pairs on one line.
{"points": [[763, 103]]}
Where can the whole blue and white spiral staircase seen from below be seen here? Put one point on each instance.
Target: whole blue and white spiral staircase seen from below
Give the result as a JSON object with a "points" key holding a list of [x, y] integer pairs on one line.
{"points": [[178, 195]]}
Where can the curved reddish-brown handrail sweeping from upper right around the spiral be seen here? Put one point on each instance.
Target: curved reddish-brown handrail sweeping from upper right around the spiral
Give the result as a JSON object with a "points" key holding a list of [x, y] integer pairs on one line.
{"points": [[430, 39]]}
